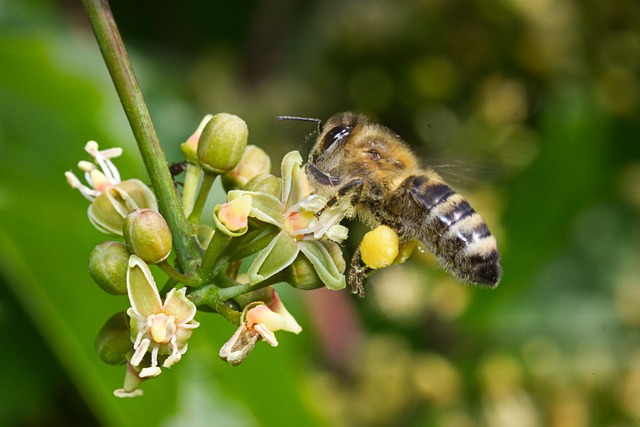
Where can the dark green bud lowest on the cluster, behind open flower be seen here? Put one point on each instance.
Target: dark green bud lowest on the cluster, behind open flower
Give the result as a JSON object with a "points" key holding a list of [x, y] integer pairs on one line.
{"points": [[113, 343]]}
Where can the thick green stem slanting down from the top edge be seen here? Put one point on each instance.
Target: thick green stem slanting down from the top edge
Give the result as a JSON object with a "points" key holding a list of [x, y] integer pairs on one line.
{"points": [[124, 79]]}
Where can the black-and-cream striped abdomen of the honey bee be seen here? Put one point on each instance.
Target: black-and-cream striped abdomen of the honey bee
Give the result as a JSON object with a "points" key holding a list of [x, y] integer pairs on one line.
{"points": [[453, 231]]}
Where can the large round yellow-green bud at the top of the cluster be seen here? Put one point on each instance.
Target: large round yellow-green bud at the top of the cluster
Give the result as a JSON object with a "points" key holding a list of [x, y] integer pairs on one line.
{"points": [[222, 143]]}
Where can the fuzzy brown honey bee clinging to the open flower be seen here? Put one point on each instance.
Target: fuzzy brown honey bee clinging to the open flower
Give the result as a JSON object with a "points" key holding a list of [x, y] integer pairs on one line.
{"points": [[371, 171]]}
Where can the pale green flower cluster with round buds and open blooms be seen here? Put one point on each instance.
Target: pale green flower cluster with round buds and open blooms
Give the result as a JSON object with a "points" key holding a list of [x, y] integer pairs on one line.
{"points": [[273, 219]]}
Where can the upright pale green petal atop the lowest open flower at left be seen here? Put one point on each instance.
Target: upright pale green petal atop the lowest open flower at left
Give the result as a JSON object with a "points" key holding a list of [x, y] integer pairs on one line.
{"points": [[142, 289]]}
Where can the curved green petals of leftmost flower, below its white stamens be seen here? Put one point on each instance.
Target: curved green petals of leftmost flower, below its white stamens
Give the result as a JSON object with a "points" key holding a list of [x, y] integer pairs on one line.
{"points": [[108, 210]]}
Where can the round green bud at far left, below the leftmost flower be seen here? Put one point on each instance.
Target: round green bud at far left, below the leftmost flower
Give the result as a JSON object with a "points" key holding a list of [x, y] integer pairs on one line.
{"points": [[108, 265]]}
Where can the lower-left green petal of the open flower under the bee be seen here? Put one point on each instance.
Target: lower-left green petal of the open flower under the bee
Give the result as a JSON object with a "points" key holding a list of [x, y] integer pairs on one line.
{"points": [[278, 254]]}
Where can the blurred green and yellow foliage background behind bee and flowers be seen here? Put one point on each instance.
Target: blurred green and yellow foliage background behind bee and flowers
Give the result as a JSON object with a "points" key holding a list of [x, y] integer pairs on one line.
{"points": [[529, 108]]}
